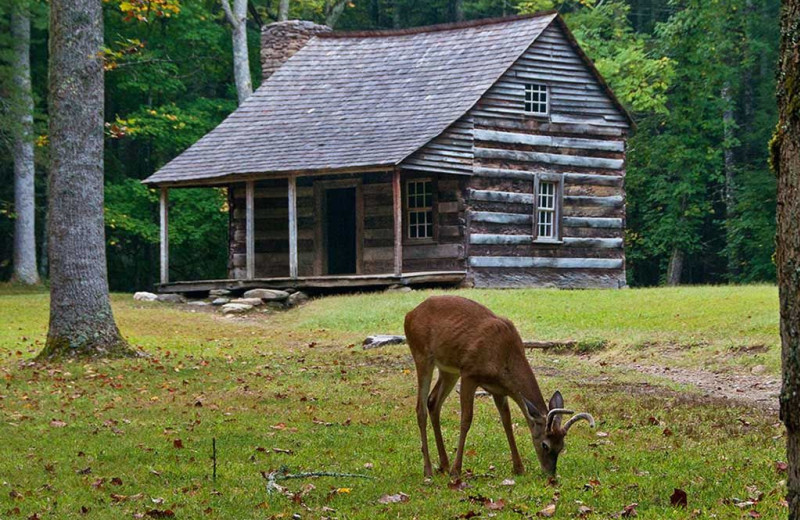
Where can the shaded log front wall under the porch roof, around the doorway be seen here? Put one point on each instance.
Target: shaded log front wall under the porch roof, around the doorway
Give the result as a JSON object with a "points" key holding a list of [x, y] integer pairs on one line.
{"points": [[272, 235]]}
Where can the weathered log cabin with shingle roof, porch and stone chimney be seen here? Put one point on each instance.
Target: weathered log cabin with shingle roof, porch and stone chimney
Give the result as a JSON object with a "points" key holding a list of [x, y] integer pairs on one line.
{"points": [[488, 153]]}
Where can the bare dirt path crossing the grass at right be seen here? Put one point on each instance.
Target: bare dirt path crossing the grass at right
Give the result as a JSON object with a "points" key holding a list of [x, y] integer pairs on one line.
{"points": [[760, 391]]}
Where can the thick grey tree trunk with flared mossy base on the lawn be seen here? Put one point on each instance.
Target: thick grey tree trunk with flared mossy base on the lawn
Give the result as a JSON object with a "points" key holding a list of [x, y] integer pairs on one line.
{"points": [[81, 321]]}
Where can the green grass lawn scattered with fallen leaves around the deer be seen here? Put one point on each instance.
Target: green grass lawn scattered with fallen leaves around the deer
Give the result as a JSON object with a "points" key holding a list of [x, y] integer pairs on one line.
{"points": [[294, 392]]}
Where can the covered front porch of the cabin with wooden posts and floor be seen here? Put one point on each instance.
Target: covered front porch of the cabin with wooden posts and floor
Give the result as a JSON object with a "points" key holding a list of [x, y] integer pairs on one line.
{"points": [[335, 231]]}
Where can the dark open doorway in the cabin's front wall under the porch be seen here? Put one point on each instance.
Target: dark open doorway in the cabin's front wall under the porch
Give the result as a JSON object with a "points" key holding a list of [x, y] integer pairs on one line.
{"points": [[340, 219]]}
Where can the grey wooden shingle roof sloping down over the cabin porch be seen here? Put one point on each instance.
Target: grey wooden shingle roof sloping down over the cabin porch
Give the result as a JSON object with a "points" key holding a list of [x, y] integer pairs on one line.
{"points": [[358, 100]]}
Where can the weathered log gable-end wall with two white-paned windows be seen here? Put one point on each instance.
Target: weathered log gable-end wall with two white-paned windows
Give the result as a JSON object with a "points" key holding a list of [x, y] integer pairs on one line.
{"points": [[582, 142]]}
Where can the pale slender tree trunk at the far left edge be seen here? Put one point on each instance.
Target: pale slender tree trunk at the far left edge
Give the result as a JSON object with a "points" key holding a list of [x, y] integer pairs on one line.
{"points": [[22, 150]]}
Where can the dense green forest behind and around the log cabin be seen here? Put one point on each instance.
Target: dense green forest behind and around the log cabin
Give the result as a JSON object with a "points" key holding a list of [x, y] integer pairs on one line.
{"points": [[697, 75]]}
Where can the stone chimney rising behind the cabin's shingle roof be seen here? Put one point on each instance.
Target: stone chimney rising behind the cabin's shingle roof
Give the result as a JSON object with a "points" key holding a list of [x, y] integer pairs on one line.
{"points": [[280, 40]]}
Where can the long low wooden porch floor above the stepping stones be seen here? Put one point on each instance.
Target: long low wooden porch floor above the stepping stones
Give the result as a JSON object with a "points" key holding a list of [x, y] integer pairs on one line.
{"points": [[318, 282]]}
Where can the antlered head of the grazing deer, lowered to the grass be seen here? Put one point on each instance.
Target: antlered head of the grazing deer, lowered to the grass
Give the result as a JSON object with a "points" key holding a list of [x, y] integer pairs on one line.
{"points": [[547, 432]]}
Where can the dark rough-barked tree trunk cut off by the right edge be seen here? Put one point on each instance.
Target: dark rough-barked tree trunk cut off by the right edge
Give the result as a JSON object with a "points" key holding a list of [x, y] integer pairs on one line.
{"points": [[785, 156]]}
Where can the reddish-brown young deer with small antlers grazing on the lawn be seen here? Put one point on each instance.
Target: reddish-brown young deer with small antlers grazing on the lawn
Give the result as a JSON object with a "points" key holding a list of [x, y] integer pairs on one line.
{"points": [[464, 339]]}
